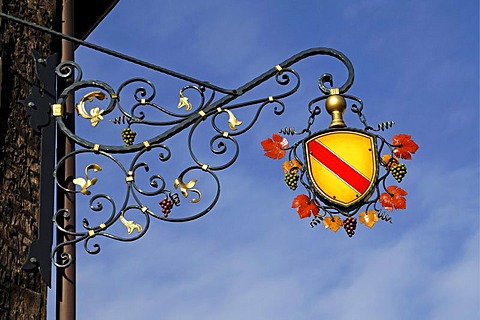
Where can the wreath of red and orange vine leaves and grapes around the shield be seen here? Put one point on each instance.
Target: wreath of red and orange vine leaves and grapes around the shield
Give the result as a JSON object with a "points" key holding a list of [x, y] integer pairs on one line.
{"points": [[315, 203]]}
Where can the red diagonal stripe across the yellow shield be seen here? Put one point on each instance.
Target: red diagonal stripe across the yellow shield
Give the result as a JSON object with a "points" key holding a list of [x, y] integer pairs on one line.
{"points": [[338, 166]]}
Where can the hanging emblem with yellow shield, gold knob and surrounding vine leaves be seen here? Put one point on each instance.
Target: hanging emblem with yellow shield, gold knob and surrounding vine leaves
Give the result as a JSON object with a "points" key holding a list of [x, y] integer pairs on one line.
{"points": [[344, 170]]}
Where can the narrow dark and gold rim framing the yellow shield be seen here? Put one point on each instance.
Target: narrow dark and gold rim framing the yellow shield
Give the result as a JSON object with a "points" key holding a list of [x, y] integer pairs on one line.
{"points": [[359, 201]]}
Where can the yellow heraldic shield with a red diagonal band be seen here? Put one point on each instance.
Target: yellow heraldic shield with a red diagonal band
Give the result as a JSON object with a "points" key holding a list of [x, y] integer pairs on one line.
{"points": [[342, 166]]}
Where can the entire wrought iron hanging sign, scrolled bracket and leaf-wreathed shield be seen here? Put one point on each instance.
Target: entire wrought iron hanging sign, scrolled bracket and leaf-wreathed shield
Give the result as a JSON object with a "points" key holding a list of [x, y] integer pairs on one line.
{"points": [[339, 175]]}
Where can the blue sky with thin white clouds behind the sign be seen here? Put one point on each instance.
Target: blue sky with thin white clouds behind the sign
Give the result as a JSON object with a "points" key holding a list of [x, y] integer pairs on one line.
{"points": [[251, 257]]}
